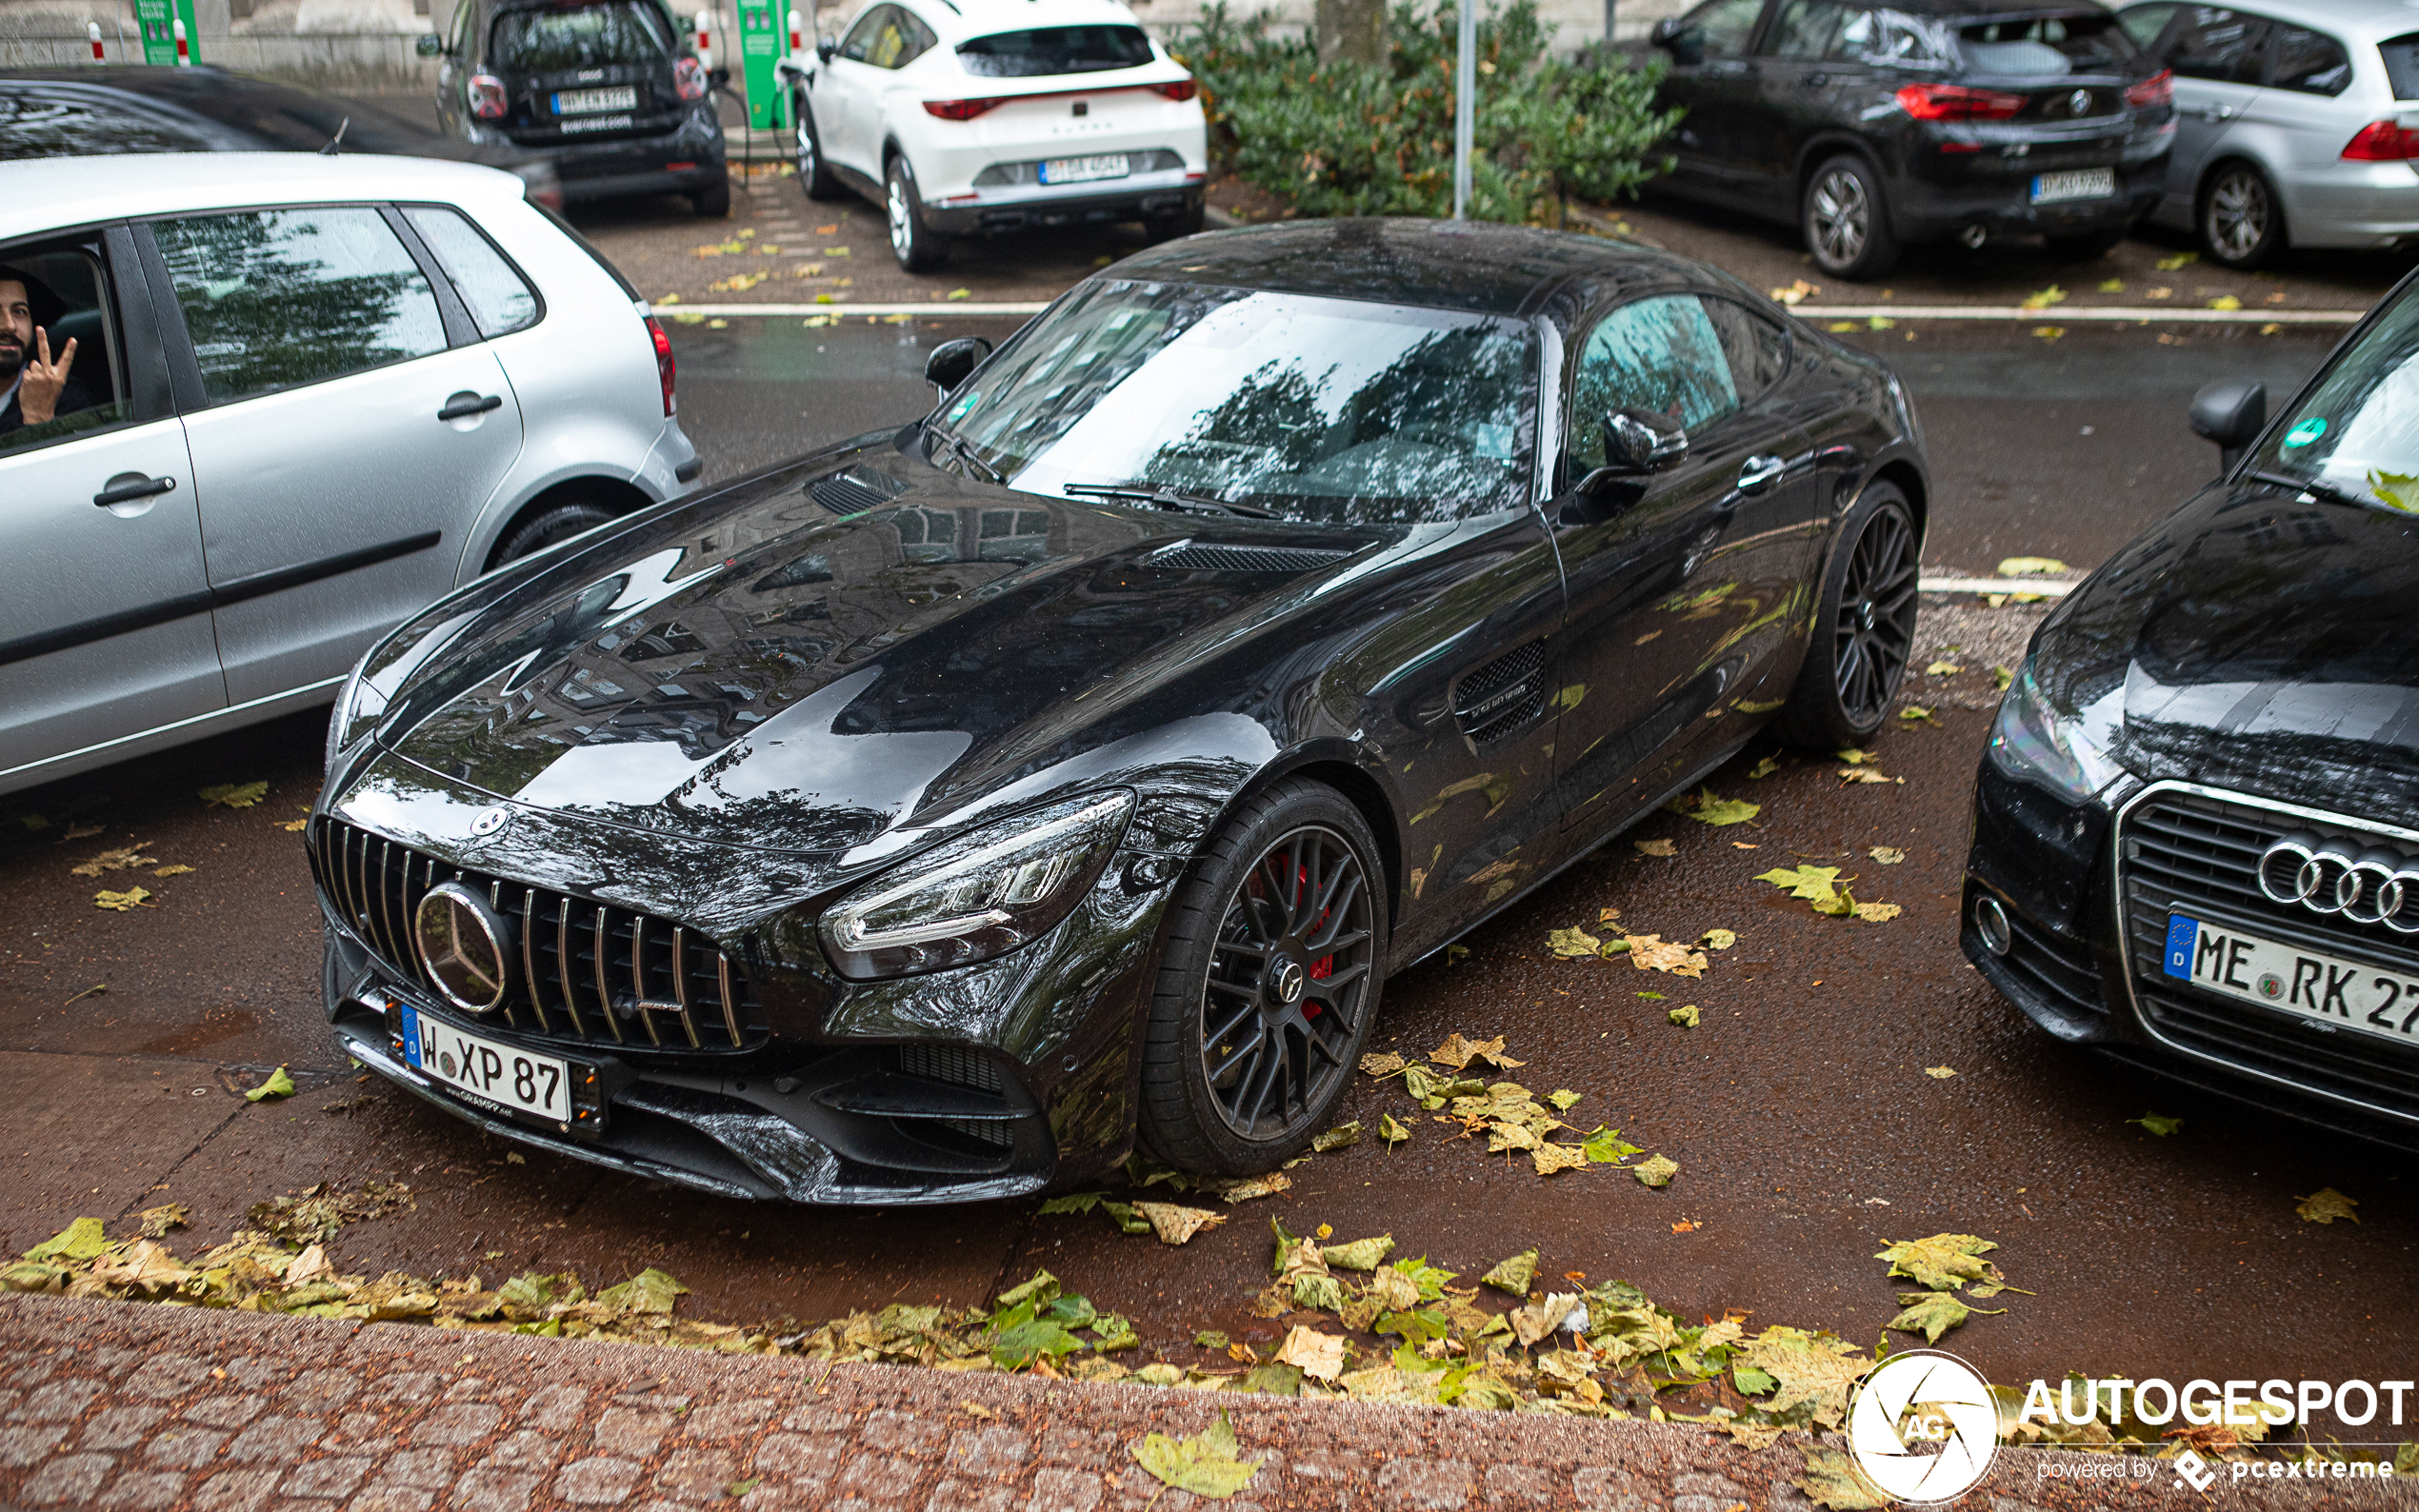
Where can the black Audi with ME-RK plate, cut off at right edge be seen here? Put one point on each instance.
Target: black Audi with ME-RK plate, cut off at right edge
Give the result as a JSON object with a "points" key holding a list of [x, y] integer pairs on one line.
{"points": [[2198, 826]]}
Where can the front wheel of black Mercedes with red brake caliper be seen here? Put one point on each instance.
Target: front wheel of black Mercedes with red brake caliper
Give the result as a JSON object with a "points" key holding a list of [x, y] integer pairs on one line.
{"points": [[1269, 983]]}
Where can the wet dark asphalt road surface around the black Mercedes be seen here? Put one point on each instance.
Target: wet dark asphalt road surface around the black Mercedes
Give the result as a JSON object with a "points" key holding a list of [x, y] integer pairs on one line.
{"points": [[1801, 1112]]}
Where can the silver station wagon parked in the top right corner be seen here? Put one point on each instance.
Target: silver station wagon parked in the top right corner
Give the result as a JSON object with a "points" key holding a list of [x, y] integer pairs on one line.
{"points": [[2297, 125]]}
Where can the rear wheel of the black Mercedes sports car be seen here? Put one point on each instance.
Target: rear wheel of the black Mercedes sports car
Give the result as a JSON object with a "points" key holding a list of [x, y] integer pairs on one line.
{"points": [[1864, 630]]}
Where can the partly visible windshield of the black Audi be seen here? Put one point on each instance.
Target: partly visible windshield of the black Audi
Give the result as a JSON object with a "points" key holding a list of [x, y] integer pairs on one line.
{"points": [[2357, 432]]}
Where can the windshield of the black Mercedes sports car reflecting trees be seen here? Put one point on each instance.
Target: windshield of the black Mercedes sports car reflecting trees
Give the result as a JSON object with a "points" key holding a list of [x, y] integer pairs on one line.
{"points": [[1307, 408]]}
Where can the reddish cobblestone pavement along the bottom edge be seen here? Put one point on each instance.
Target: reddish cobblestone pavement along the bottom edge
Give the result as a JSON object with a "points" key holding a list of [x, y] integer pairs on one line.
{"points": [[125, 1407]]}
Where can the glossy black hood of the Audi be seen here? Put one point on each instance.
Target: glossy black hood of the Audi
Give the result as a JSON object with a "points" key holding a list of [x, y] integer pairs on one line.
{"points": [[2256, 642]]}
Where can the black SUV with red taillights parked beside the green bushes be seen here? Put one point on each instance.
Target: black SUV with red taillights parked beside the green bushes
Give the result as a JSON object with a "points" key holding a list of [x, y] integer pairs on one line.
{"points": [[1878, 127]]}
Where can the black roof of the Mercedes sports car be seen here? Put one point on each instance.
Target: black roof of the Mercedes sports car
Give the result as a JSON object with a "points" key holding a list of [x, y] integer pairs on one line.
{"points": [[1448, 265]]}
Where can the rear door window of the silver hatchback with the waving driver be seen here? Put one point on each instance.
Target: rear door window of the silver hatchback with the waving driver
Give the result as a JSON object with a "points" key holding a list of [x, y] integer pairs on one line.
{"points": [[279, 299]]}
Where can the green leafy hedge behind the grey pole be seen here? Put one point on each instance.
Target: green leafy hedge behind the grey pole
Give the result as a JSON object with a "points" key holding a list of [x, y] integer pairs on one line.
{"points": [[1349, 139]]}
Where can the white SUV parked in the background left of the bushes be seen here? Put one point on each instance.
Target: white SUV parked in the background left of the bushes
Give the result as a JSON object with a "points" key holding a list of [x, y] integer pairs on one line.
{"points": [[966, 117]]}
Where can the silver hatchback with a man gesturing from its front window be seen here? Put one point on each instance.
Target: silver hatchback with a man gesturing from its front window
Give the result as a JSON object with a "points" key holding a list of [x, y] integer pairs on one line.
{"points": [[308, 398]]}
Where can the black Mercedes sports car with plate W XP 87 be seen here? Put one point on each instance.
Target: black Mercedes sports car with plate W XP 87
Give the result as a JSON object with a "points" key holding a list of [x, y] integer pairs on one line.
{"points": [[930, 816]]}
